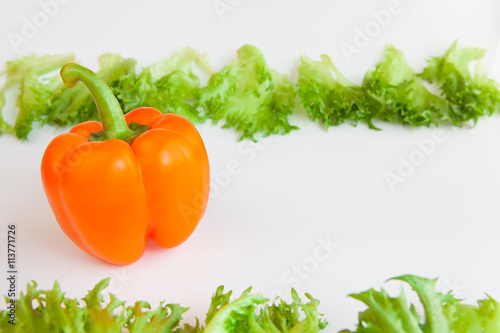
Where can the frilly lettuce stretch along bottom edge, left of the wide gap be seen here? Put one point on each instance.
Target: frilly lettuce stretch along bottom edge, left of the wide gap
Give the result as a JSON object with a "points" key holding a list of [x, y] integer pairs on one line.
{"points": [[51, 311]]}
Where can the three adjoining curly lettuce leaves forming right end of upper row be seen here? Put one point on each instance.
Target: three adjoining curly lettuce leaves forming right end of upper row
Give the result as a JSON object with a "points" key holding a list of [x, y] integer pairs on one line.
{"points": [[393, 92]]}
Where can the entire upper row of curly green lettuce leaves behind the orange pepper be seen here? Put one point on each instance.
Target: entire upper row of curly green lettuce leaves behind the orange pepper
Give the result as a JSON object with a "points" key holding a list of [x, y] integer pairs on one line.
{"points": [[255, 100]]}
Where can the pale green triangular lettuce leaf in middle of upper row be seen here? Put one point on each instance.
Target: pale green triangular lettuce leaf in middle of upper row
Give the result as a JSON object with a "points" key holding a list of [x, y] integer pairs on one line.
{"points": [[249, 96]]}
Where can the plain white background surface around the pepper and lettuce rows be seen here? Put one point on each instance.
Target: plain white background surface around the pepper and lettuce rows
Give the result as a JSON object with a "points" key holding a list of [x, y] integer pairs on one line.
{"points": [[292, 192]]}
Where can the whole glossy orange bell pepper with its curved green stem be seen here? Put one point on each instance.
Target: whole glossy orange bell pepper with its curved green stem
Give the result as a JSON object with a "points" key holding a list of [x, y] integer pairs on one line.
{"points": [[110, 196]]}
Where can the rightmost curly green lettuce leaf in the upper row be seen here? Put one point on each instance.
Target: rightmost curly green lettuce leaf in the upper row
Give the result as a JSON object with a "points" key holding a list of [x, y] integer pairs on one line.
{"points": [[470, 95]]}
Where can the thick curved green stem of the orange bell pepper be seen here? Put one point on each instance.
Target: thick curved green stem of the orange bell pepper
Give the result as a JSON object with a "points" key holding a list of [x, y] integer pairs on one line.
{"points": [[112, 118]]}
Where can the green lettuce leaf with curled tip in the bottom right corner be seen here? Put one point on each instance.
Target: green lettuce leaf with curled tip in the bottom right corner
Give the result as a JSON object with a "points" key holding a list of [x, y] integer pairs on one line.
{"points": [[443, 313]]}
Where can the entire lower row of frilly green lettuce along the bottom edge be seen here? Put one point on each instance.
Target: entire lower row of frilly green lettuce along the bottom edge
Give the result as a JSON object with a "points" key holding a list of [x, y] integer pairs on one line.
{"points": [[51, 311]]}
